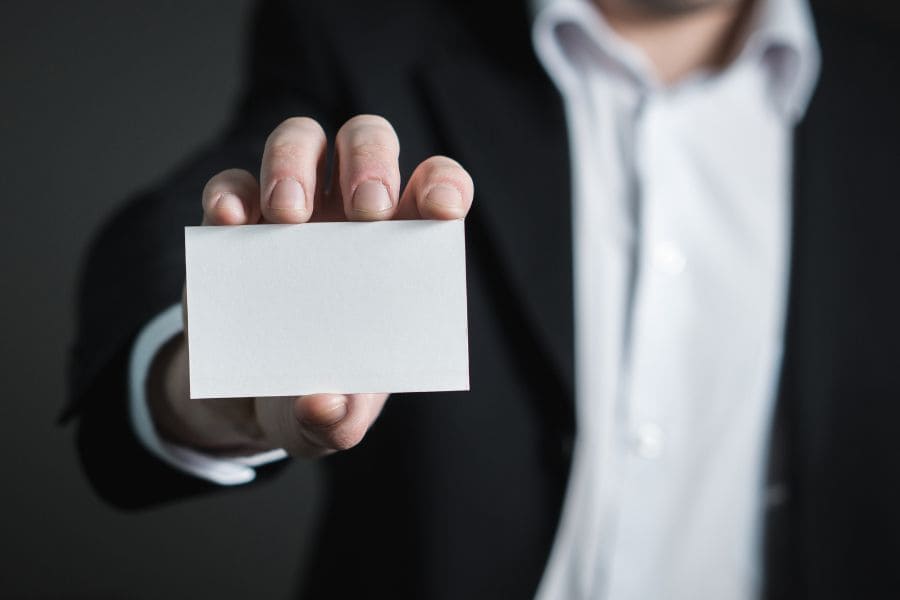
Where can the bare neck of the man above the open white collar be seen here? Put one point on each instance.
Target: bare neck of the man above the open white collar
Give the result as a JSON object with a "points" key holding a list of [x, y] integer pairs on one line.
{"points": [[681, 42]]}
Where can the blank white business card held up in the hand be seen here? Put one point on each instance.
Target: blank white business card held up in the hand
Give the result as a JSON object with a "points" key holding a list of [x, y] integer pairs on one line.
{"points": [[285, 310]]}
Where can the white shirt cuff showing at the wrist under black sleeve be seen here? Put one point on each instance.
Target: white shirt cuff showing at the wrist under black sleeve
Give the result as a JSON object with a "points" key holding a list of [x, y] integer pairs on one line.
{"points": [[222, 471]]}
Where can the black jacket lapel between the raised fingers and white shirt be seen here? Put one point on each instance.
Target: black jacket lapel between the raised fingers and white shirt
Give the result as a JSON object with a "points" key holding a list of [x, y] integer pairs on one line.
{"points": [[511, 135]]}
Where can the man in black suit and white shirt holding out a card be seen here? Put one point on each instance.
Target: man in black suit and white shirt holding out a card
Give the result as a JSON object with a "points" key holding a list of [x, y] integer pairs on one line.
{"points": [[681, 249]]}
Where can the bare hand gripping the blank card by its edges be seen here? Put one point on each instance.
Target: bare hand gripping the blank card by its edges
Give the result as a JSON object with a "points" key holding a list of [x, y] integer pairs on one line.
{"points": [[365, 187]]}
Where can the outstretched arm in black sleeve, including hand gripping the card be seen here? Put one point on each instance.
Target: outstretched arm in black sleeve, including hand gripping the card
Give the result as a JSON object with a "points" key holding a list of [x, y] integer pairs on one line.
{"points": [[136, 268]]}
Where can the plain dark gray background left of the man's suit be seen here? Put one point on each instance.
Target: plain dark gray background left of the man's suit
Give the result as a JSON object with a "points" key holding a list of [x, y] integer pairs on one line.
{"points": [[97, 100]]}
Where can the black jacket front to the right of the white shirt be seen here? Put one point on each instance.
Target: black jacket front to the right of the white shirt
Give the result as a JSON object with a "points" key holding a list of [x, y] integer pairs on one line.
{"points": [[839, 384]]}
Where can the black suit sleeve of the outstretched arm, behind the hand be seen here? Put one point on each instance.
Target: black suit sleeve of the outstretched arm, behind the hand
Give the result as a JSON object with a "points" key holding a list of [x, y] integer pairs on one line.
{"points": [[134, 269]]}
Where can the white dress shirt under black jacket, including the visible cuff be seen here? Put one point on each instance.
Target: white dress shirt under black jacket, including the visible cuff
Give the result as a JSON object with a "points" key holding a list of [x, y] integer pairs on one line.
{"points": [[681, 213]]}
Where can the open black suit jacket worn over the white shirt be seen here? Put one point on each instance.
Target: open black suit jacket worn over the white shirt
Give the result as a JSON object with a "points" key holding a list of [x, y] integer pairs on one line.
{"points": [[466, 488]]}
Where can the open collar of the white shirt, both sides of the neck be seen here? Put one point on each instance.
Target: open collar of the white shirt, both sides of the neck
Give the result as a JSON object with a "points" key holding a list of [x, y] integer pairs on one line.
{"points": [[782, 36]]}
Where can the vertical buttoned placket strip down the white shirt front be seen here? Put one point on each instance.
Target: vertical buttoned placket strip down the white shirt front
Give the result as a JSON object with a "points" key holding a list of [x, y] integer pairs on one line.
{"points": [[649, 397]]}
